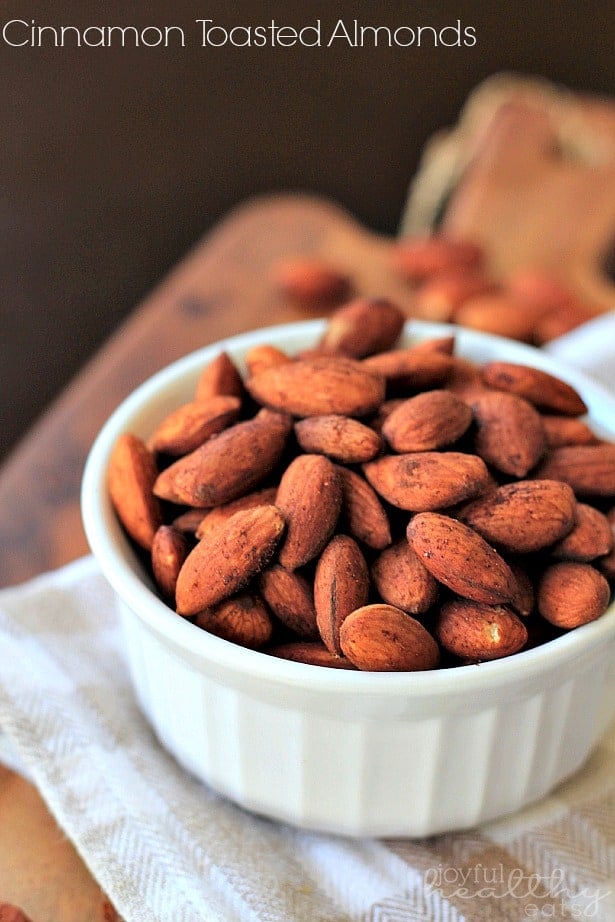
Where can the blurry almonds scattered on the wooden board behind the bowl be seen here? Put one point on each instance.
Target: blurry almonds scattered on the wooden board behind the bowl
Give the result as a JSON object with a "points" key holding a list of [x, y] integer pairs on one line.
{"points": [[448, 280]]}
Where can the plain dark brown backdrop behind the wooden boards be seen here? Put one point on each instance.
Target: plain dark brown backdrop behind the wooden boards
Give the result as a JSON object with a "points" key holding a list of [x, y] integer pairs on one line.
{"points": [[115, 161]]}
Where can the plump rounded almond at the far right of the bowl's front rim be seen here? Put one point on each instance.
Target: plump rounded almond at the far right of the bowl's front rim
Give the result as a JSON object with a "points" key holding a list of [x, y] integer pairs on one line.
{"points": [[570, 594]]}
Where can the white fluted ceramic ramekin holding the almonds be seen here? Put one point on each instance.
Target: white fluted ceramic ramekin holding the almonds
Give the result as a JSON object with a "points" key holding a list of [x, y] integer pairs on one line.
{"points": [[395, 754]]}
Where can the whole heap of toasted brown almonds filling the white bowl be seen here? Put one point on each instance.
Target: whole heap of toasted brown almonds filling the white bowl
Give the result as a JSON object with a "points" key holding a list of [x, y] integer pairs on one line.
{"points": [[372, 507]]}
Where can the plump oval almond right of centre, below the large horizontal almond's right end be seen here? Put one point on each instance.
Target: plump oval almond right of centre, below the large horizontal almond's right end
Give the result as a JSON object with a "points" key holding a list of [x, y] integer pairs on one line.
{"points": [[430, 420]]}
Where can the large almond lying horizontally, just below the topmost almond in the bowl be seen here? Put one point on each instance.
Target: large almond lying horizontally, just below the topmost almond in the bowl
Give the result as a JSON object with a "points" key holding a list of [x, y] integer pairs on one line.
{"points": [[319, 386]]}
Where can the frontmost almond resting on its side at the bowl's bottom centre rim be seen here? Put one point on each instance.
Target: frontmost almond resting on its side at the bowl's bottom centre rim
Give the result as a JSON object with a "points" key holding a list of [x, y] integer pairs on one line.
{"points": [[382, 638]]}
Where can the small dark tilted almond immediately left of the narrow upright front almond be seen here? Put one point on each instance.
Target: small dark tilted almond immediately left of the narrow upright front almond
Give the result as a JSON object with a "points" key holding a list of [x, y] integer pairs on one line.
{"points": [[291, 599]]}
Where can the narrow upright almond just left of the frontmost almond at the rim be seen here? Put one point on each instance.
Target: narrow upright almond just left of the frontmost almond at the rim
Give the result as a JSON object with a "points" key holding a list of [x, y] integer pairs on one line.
{"points": [[341, 584]]}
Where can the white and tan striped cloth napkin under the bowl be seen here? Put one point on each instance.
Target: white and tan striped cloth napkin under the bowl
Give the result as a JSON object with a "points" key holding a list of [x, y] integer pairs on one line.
{"points": [[167, 849]]}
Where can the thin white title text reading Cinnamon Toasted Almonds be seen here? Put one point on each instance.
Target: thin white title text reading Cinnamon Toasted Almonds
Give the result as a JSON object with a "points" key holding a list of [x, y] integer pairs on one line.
{"points": [[207, 33]]}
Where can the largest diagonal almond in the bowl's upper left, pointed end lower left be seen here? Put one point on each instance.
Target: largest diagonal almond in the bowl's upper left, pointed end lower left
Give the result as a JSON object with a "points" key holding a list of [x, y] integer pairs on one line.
{"points": [[206, 478]]}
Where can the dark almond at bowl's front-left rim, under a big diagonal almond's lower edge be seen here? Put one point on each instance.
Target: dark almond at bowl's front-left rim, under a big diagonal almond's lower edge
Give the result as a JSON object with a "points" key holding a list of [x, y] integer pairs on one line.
{"points": [[243, 619]]}
